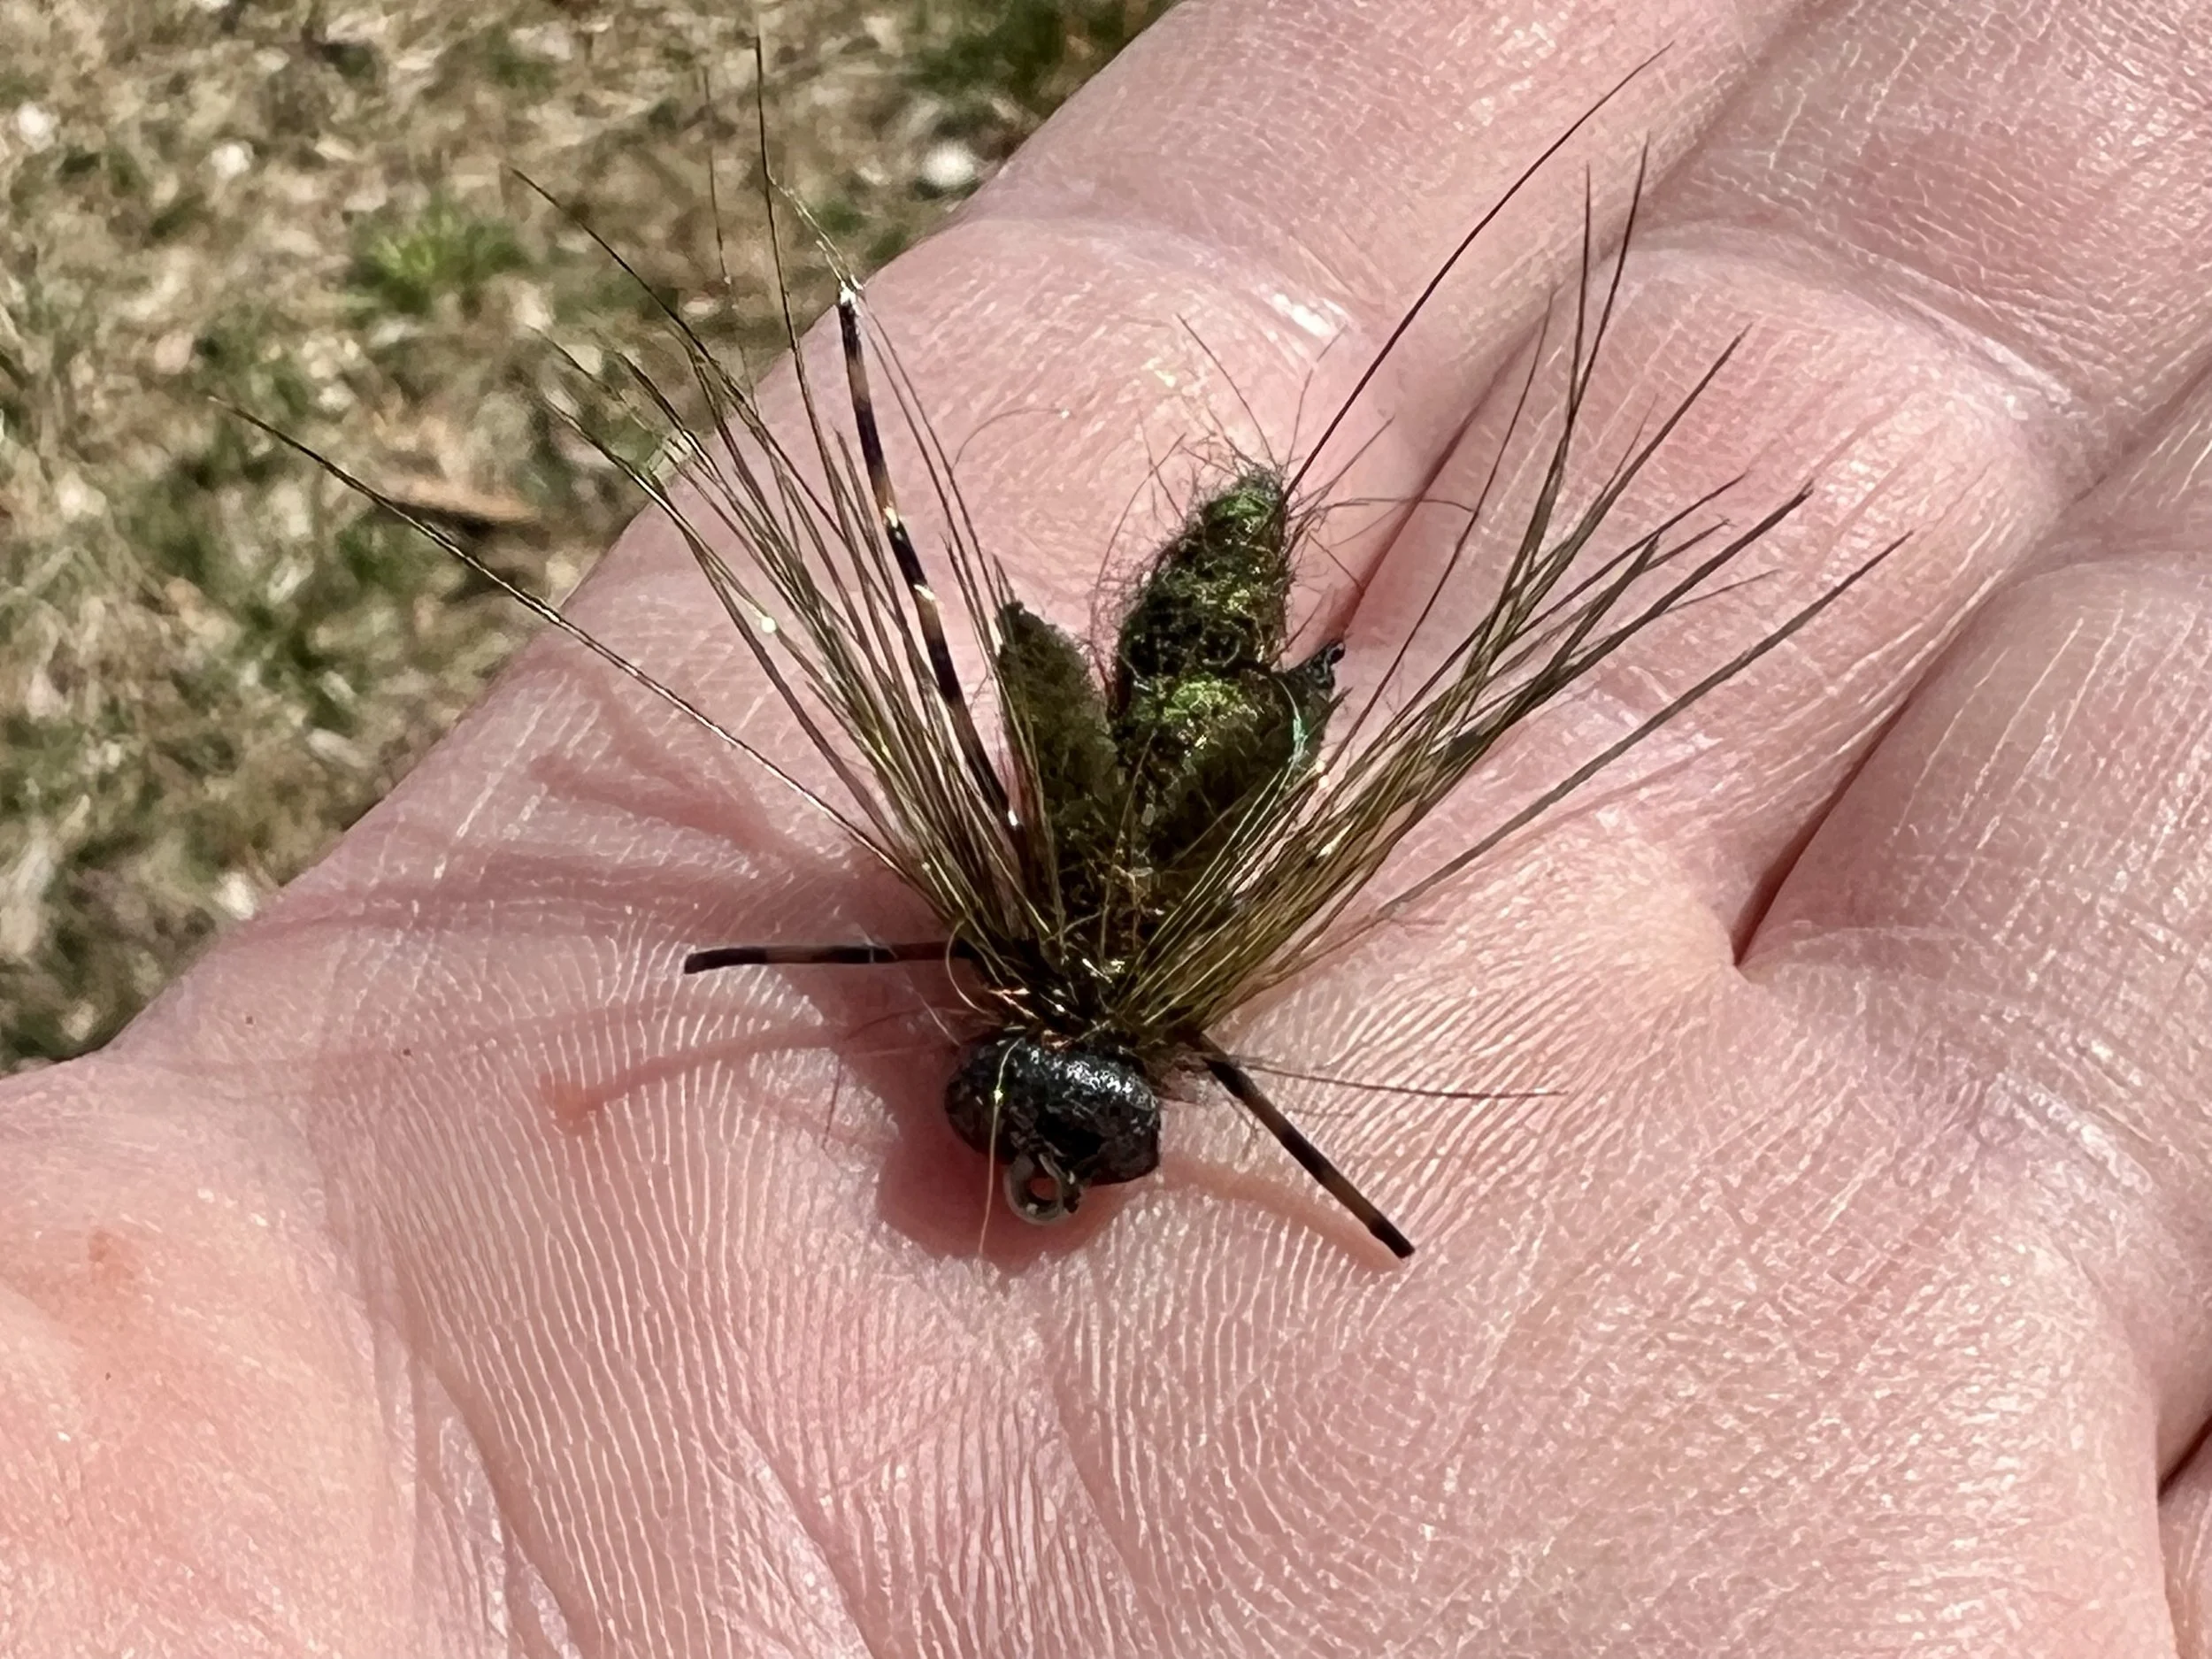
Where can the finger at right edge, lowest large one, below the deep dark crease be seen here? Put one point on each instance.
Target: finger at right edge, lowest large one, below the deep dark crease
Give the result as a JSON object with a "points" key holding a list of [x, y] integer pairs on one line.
{"points": [[2012, 897]]}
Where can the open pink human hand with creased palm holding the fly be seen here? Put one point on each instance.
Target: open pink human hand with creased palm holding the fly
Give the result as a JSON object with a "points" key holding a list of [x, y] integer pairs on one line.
{"points": [[437, 1273]]}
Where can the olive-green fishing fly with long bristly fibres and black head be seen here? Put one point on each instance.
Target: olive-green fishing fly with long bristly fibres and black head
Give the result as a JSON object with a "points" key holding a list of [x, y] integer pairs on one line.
{"points": [[1185, 820]]}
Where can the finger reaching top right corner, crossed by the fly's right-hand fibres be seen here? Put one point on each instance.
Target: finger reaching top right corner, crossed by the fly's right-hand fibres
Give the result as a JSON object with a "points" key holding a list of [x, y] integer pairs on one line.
{"points": [[1959, 280]]}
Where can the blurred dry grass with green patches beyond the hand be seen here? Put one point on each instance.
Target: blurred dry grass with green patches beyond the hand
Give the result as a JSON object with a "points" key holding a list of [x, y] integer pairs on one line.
{"points": [[213, 658]]}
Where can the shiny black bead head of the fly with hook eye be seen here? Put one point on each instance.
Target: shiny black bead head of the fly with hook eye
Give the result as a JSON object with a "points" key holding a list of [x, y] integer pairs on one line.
{"points": [[1061, 1120]]}
